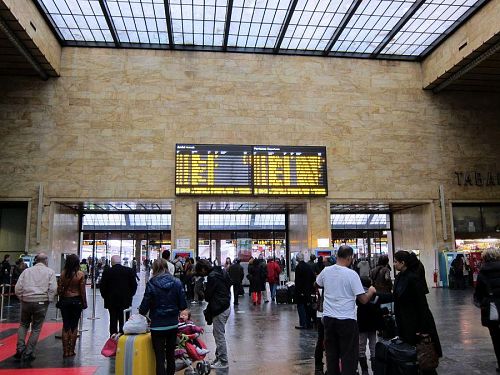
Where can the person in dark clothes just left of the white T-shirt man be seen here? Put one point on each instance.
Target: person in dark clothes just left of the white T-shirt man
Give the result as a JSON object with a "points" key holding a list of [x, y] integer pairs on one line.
{"points": [[304, 287]]}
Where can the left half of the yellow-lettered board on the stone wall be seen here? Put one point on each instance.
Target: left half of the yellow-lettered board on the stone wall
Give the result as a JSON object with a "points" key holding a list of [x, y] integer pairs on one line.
{"points": [[213, 170]]}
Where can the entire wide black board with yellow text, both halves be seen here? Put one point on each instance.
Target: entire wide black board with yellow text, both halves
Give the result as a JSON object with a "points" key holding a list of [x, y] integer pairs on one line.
{"points": [[250, 170]]}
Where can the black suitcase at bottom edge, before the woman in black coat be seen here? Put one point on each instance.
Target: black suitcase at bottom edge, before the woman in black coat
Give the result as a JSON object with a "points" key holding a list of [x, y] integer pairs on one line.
{"points": [[394, 357]]}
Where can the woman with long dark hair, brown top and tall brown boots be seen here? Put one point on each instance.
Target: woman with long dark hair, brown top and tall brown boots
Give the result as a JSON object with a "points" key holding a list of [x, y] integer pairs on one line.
{"points": [[72, 299]]}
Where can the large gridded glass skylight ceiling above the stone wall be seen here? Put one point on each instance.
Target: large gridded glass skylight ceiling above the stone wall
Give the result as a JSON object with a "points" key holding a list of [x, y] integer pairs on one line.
{"points": [[397, 29]]}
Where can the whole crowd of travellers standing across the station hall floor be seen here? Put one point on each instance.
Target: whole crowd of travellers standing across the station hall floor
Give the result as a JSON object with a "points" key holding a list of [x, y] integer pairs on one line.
{"points": [[342, 298]]}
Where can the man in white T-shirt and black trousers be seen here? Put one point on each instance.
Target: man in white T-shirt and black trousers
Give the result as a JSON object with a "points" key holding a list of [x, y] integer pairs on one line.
{"points": [[342, 287]]}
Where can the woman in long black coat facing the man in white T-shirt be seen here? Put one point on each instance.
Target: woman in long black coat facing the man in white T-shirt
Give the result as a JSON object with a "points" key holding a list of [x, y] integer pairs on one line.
{"points": [[413, 316]]}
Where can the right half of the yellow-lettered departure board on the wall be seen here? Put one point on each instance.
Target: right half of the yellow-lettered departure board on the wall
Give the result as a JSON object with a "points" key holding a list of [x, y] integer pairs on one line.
{"points": [[287, 170]]}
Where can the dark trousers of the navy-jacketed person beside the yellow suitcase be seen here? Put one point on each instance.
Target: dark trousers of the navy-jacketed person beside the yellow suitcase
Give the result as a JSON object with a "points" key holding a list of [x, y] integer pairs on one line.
{"points": [[164, 347]]}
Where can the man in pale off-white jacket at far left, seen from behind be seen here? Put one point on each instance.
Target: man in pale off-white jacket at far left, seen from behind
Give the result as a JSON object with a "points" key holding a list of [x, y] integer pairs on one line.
{"points": [[35, 288]]}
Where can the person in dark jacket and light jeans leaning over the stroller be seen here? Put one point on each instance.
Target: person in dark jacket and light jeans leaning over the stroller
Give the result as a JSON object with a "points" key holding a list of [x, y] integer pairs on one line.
{"points": [[218, 296]]}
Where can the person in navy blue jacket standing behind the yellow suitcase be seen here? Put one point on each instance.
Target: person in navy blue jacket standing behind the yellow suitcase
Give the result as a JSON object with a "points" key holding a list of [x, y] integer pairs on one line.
{"points": [[164, 298]]}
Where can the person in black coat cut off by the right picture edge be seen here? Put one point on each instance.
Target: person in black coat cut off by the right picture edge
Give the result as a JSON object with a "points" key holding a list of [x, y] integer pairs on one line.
{"points": [[488, 290]]}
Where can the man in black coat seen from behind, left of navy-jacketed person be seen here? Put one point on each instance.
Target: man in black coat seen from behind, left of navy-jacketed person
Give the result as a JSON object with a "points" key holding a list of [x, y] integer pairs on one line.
{"points": [[118, 286]]}
